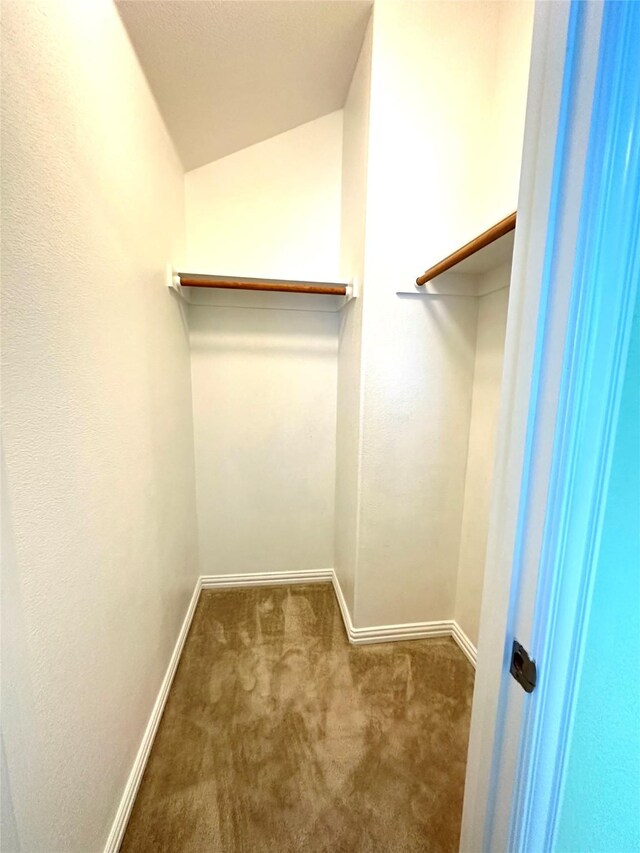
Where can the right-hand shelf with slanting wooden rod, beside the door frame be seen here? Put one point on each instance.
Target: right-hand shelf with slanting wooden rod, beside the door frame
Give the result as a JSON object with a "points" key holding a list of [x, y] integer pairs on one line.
{"points": [[455, 274]]}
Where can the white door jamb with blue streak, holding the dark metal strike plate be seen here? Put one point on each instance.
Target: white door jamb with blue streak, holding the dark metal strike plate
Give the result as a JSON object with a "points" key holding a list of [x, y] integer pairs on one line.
{"points": [[563, 72]]}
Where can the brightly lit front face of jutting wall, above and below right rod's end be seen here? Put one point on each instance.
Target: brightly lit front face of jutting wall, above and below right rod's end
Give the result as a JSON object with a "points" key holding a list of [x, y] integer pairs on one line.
{"points": [[436, 98]]}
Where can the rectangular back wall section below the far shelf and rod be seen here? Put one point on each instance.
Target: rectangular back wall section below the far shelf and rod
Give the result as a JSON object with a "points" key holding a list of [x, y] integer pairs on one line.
{"points": [[264, 403]]}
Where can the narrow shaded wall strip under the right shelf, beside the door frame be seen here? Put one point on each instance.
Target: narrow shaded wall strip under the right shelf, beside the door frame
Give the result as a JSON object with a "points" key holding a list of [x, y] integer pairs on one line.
{"points": [[487, 383]]}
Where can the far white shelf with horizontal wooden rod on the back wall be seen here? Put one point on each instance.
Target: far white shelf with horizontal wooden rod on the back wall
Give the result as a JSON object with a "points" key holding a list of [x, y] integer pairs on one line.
{"points": [[183, 282]]}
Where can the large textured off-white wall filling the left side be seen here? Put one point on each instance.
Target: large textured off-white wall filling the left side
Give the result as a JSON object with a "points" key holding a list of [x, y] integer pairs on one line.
{"points": [[98, 481]]}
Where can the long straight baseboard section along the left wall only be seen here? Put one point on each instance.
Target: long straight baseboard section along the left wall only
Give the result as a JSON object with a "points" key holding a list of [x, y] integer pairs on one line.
{"points": [[135, 777]]}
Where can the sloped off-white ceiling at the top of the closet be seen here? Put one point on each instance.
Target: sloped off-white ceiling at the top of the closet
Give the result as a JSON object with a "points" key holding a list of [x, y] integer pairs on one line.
{"points": [[229, 73]]}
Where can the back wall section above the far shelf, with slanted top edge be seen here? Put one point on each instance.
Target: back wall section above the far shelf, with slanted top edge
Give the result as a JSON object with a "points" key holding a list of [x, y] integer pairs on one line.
{"points": [[272, 209]]}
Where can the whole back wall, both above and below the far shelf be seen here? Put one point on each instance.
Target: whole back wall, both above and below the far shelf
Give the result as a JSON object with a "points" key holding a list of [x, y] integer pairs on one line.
{"points": [[264, 369]]}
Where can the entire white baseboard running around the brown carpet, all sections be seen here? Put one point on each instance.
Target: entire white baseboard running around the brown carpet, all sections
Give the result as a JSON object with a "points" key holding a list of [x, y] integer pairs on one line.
{"points": [[357, 636]]}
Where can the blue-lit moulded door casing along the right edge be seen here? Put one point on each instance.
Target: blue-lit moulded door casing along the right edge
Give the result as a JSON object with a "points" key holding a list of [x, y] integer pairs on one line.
{"points": [[604, 283]]}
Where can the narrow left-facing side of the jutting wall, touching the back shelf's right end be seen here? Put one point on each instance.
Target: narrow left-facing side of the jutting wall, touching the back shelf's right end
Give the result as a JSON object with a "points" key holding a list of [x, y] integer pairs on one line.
{"points": [[352, 247]]}
